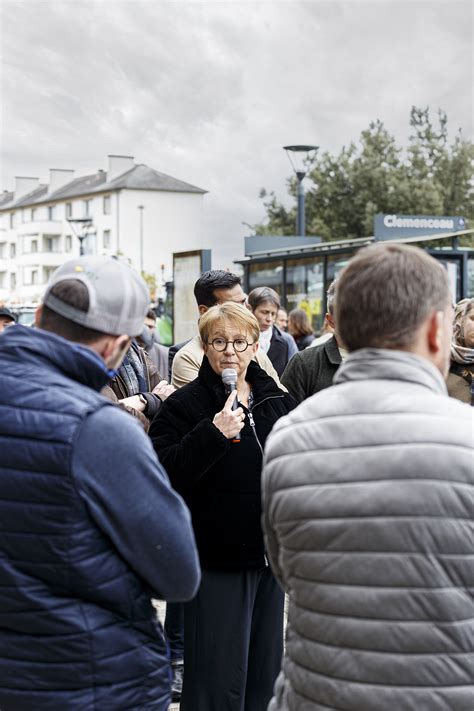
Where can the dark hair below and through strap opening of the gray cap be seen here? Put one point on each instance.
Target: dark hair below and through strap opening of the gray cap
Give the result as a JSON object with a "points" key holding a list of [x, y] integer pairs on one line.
{"points": [[73, 292]]}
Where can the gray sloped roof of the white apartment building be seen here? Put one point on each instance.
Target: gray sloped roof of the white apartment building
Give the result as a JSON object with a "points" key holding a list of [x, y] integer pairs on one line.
{"points": [[140, 177]]}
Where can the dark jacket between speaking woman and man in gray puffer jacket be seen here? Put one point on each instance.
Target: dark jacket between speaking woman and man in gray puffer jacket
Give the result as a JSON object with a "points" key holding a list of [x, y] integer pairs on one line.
{"points": [[312, 370]]}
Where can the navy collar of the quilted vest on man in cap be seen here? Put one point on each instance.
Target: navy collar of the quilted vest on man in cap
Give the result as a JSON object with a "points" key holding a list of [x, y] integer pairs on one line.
{"points": [[75, 361]]}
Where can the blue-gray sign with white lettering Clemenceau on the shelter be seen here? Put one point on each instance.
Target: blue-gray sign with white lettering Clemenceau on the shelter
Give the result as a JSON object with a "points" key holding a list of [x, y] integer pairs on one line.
{"points": [[394, 226]]}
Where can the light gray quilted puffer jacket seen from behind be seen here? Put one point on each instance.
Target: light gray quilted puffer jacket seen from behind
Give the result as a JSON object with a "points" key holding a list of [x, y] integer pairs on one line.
{"points": [[368, 506]]}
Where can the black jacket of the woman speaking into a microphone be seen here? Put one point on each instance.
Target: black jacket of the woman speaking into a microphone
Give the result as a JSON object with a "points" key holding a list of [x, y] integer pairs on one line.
{"points": [[219, 479]]}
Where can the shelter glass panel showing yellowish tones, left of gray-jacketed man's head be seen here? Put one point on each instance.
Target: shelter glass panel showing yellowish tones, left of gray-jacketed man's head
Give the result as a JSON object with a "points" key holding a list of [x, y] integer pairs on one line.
{"points": [[305, 288]]}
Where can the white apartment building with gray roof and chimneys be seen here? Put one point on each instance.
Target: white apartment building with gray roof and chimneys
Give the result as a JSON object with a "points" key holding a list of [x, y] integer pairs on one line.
{"points": [[130, 210]]}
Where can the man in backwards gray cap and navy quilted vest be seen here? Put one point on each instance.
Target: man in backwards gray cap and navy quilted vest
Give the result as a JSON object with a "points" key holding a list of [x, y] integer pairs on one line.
{"points": [[91, 529]]}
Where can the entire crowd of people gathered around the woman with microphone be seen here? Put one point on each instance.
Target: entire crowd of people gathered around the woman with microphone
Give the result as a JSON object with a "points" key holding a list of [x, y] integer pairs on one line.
{"points": [[252, 461]]}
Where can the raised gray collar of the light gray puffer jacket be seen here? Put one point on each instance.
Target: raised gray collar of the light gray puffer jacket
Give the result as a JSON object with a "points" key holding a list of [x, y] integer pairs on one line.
{"points": [[385, 364]]}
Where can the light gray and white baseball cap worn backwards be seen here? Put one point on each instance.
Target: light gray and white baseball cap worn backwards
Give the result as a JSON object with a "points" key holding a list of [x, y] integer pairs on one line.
{"points": [[118, 296]]}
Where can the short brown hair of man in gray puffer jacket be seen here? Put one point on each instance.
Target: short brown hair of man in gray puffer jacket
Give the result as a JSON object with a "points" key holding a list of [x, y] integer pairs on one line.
{"points": [[384, 295]]}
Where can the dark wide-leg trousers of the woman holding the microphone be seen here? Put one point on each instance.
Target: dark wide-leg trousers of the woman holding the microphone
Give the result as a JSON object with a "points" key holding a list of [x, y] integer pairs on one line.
{"points": [[233, 641]]}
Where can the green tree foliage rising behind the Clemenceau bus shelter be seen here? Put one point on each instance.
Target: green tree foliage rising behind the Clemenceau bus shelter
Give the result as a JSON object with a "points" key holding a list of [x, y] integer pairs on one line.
{"points": [[375, 175]]}
